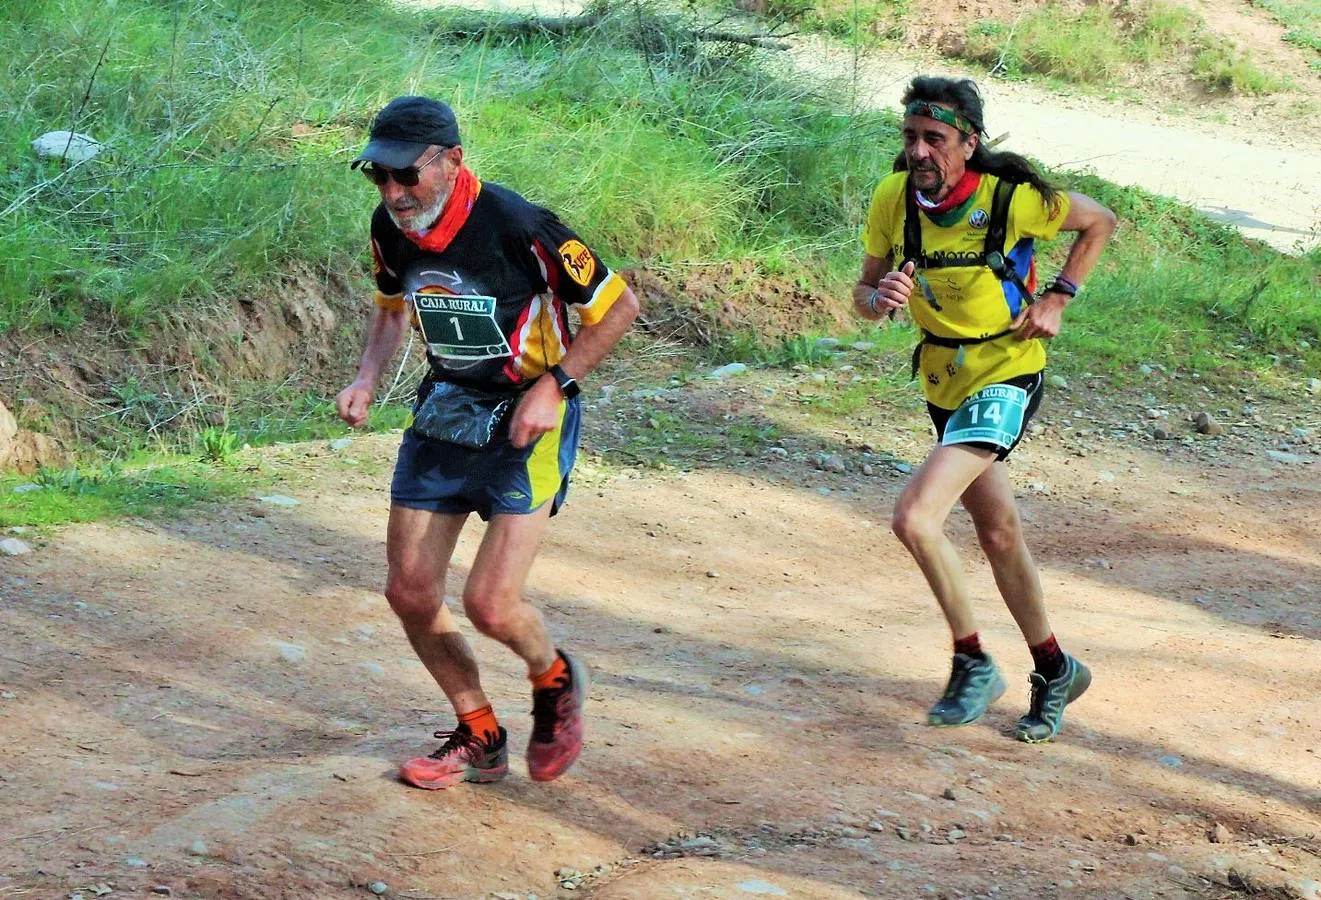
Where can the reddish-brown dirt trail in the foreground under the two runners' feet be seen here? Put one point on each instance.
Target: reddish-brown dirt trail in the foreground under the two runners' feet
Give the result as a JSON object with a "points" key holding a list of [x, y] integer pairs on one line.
{"points": [[219, 705]]}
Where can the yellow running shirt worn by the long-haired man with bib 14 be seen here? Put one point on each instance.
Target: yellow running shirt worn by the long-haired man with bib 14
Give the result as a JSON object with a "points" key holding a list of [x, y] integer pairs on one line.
{"points": [[960, 297]]}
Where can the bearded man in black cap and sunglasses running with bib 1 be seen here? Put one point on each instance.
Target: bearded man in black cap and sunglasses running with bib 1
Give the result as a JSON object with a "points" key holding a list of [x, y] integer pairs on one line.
{"points": [[487, 278]]}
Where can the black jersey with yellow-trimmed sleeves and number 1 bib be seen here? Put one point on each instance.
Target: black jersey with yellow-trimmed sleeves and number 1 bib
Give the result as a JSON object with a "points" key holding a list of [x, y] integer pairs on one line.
{"points": [[493, 306]]}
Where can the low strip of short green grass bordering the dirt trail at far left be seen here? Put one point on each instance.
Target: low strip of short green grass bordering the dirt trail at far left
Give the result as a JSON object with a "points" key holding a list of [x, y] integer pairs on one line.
{"points": [[161, 487]]}
